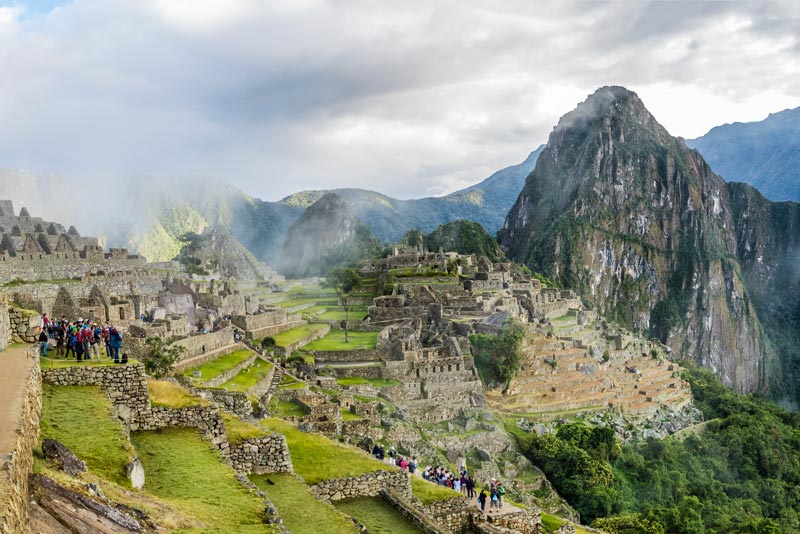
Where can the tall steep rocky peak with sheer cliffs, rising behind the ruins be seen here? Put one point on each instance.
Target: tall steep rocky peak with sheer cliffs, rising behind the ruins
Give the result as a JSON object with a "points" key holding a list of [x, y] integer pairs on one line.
{"points": [[626, 214]]}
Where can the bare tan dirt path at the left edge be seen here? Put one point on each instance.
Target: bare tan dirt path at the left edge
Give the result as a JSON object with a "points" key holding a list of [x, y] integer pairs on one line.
{"points": [[15, 366]]}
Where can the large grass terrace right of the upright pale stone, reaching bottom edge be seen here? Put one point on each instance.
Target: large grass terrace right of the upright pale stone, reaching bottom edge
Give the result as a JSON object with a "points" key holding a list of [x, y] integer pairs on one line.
{"points": [[183, 470]]}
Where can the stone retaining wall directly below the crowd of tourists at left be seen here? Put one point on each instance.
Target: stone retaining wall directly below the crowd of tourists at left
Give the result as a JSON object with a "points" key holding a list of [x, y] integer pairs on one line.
{"points": [[125, 385]]}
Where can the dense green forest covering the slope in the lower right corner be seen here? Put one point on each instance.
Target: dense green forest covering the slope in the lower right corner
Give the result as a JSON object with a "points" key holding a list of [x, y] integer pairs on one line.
{"points": [[737, 476]]}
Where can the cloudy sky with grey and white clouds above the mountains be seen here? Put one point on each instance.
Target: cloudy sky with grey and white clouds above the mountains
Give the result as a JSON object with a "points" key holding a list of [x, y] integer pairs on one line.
{"points": [[410, 98]]}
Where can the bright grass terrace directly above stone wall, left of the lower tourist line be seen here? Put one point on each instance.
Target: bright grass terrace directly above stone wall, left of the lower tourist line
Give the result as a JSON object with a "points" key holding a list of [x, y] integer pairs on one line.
{"points": [[316, 458]]}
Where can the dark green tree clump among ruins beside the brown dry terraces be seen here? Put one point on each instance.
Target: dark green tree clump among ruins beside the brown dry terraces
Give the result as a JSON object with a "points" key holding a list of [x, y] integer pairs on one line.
{"points": [[497, 357]]}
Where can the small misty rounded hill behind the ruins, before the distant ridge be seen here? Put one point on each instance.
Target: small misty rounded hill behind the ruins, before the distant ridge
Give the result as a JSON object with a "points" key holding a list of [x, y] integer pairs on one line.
{"points": [[325, 236]]}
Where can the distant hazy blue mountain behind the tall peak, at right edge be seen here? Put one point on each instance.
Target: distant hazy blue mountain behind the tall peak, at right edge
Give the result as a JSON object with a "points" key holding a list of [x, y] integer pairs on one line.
{"points": [[764, 154]]}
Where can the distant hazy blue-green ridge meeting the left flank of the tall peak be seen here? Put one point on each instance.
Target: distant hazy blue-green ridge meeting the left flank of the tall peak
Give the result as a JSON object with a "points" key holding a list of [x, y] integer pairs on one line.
{"points": [[486, 203]]}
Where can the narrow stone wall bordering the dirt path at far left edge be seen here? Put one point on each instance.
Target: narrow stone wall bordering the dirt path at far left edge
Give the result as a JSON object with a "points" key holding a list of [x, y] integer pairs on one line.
{"points": [[16, 467]]}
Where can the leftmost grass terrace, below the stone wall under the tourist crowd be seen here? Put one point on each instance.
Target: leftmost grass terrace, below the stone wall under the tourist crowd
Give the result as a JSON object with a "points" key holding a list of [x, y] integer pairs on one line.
{"points": [[81, 418]]}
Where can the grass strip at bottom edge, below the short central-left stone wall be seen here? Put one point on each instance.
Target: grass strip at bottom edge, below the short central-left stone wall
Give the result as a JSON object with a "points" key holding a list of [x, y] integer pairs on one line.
{"points": [[301, 512]]}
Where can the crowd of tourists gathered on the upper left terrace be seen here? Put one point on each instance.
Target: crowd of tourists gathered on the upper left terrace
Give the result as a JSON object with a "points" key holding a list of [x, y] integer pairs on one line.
{"points": [[81, 339]]}
